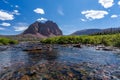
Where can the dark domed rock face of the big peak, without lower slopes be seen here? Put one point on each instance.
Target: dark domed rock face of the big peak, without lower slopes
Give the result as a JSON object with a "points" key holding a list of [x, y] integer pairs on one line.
{"points": [[46, 29]]}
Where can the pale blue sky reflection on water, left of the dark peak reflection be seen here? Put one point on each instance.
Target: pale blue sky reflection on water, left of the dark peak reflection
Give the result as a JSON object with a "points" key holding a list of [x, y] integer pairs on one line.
{"points": [[12, 59]]}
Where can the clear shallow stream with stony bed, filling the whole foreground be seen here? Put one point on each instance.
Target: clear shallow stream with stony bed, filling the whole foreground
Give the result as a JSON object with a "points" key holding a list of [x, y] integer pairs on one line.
{"points": [[62, 63]]}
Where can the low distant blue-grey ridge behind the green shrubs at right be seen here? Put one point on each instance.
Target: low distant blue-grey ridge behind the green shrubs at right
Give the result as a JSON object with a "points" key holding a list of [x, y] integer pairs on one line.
{"points": [[97, 31]]}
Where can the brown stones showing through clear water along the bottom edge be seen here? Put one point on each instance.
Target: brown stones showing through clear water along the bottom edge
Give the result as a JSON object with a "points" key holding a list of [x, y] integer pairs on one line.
{"points": [[61, 71]]}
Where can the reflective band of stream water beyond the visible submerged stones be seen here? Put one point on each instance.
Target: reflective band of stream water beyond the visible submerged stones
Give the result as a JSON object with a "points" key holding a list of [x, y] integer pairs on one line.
{"points": [[14, 58]]}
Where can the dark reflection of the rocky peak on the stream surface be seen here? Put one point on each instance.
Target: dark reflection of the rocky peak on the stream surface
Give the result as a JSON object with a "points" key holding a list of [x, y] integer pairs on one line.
{"points": [[36, 57]]}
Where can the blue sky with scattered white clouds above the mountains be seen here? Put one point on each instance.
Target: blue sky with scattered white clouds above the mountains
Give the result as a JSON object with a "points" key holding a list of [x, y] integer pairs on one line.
{"points": [[70, 15]]}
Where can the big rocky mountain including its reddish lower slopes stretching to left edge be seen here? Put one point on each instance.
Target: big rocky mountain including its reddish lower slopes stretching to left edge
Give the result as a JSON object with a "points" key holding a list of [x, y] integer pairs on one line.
{"points": [[37, 31]]}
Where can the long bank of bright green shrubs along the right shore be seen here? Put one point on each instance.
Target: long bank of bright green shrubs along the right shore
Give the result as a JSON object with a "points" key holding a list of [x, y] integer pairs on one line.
{"points": [[107, 40]]}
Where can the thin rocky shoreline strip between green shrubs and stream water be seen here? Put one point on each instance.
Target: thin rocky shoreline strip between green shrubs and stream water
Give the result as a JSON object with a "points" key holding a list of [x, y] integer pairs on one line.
{"points": [[37, 46]]}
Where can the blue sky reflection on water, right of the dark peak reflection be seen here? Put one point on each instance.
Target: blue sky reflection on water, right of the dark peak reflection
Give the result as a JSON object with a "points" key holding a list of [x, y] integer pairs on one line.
{"points": [[88, 54]]}
